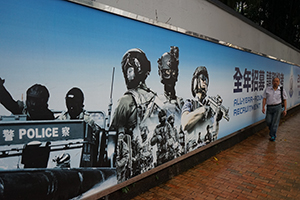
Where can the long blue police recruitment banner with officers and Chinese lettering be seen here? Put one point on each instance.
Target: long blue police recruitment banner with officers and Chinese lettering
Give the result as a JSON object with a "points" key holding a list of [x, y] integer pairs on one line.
{"points": [[145, 94]]}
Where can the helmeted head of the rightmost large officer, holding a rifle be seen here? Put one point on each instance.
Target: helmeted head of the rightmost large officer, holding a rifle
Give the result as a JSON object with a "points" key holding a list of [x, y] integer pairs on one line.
{"points": [[200, 73]]}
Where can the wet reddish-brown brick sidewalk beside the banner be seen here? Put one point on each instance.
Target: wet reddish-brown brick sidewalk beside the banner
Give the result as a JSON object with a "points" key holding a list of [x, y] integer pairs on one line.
{"points": [[253, 169]]}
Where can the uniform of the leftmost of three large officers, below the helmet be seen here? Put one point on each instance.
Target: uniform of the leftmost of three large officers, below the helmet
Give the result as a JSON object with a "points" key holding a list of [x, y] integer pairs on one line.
{"points": [[127, 119]]}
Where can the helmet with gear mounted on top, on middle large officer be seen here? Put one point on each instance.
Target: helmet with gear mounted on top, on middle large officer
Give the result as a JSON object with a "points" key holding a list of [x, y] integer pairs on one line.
{"points": [[168, 65]]}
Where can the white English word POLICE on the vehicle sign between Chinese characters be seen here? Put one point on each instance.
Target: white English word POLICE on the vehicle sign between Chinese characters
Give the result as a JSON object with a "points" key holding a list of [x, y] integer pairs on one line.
{"points": [[32, 133]]}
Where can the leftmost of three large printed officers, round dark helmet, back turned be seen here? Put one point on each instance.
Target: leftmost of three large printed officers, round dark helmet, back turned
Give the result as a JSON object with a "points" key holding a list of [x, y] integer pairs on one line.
{"points": [[131, 110]]}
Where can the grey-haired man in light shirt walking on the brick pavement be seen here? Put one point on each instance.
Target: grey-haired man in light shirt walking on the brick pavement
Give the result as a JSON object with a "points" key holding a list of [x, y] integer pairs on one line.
{"points": [[272, 97]]}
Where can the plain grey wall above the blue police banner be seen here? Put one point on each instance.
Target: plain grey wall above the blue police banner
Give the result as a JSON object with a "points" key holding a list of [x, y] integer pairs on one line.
{"points": [[211, 19]]}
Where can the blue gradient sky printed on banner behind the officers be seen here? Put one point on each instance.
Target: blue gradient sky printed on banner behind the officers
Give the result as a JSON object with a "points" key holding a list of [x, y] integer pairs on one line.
{"points": [[61, 45]]}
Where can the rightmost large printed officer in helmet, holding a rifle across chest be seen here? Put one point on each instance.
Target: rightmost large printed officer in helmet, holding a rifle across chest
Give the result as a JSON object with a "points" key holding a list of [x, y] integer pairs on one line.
{"points": [[197, 115]]}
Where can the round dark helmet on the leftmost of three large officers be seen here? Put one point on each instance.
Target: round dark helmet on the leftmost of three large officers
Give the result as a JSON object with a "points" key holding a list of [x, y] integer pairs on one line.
{"points": [[136, 59]]}
